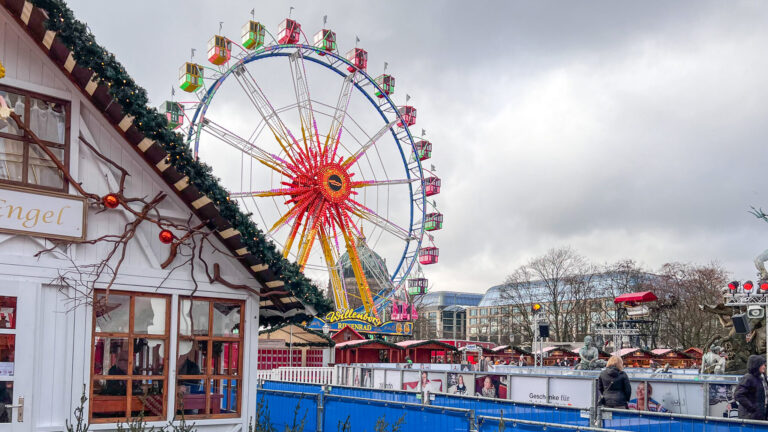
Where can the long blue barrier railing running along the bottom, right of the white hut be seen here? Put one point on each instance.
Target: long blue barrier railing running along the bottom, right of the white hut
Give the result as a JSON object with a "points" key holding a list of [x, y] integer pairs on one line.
{"points": [[327, 406]]}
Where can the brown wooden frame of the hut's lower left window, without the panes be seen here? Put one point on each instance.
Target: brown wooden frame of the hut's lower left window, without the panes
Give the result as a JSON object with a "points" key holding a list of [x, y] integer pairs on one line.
{"points": [[130, 335]]}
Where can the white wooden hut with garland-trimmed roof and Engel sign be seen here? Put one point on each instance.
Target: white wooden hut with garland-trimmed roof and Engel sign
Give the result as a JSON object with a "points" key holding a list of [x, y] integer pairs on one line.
{"points": [[129, 277]]}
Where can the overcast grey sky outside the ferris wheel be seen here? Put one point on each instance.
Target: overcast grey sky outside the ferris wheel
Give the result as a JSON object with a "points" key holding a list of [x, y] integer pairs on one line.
{"points": [[623, 129]]}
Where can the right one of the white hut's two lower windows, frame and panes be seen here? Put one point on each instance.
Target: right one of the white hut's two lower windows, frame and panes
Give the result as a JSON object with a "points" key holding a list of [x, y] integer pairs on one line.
{"points": [[209, 363]]}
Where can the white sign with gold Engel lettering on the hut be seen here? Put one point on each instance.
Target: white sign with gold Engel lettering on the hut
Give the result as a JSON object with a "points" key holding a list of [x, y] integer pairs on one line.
{"points": [[41, 213]]}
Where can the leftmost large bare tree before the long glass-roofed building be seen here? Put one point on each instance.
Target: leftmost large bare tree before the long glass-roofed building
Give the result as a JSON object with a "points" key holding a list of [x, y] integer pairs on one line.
{"points": [[560, 280]]}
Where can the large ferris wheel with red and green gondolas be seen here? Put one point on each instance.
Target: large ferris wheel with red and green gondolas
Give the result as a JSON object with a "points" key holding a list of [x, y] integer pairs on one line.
{"points": [[322, 157]]}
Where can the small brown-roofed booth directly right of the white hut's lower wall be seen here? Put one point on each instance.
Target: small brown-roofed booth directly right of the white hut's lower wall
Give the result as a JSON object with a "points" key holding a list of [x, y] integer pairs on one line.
{"points": [[293, 345]]}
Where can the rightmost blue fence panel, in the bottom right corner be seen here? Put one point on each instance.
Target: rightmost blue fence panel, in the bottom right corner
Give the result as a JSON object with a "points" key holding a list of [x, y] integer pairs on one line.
{"points": [[652, 422]]}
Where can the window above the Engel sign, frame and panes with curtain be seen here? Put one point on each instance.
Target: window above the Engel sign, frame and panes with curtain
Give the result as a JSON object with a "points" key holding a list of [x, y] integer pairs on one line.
{"points": [[22, 161]]}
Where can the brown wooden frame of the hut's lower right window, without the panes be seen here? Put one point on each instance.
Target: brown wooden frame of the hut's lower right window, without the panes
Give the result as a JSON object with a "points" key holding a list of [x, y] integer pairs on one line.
{"points": [[208, 375]]}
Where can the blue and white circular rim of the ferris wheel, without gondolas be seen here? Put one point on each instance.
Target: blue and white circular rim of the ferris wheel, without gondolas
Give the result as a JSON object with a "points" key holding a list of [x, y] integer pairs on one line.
{"points": [[399, 274]]}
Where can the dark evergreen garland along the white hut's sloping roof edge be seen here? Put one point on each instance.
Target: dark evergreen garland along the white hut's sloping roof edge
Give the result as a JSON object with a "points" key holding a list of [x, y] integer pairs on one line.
{"points": [[133, 98]]}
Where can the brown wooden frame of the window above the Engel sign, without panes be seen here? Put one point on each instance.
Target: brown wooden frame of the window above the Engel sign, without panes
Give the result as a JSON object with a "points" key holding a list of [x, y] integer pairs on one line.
{"points": [[26, 140]]}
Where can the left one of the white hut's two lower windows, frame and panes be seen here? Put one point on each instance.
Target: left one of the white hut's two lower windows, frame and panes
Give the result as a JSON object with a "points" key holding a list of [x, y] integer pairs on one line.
{"points": [[129, 373]]}
